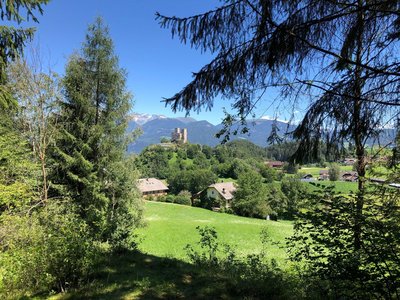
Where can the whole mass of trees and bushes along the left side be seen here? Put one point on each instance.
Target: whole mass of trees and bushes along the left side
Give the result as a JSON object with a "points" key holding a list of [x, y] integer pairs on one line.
{"points": [[68, 194]]}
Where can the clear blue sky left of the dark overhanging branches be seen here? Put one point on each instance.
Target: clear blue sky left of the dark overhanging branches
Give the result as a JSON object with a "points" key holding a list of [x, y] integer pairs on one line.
{"points": [[157, 65]]}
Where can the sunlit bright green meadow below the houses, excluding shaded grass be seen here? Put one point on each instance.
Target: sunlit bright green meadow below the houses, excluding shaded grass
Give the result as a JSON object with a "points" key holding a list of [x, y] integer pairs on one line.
{"points": [[171, 227]]}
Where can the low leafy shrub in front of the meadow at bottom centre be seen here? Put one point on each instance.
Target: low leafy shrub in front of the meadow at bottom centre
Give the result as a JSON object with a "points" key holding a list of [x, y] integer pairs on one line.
{"points": [[252, 276]]}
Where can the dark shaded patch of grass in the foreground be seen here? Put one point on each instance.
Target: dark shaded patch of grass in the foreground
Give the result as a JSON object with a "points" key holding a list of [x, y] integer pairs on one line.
{"points": [[139, 276]]}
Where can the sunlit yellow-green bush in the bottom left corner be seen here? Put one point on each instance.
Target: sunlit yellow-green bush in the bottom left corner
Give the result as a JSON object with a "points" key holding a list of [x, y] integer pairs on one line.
{"points": [[50, 249]]}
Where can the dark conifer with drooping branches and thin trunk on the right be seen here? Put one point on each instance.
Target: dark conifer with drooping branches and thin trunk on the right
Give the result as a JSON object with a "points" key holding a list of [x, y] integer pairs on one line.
{"points": [[339, 56]]}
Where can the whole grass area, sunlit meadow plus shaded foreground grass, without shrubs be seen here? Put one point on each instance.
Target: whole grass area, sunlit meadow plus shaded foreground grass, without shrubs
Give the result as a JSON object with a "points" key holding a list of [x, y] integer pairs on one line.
{"points": [[160, 269]]}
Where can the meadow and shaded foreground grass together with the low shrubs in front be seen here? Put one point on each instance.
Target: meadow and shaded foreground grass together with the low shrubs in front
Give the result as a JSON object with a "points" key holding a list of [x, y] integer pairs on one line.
{"points": [[166, 267]]}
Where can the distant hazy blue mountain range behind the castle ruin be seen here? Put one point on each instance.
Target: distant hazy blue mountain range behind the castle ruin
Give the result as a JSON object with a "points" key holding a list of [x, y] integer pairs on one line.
{"points": [[155, 127]]}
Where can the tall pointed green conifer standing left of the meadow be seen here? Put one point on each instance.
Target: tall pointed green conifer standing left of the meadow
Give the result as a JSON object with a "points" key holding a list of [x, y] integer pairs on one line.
{"points": [[90, 153]]}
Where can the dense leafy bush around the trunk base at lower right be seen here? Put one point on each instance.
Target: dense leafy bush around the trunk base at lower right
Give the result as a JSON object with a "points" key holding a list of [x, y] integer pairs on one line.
{"points": [[325, 241]]}
